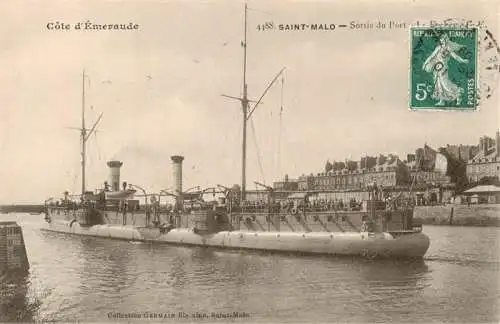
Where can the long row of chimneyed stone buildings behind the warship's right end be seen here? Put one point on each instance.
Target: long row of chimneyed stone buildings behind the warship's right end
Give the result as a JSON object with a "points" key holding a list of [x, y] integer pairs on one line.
{"points": [[424, 171]]}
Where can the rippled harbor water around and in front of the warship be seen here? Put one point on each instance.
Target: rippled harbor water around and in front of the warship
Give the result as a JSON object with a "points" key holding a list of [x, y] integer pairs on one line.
{"points": [[87, 279]]}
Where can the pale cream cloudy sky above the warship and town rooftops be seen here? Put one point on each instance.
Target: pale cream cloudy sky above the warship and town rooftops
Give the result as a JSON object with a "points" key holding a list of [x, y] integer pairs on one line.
{"points": [[344, 93]]}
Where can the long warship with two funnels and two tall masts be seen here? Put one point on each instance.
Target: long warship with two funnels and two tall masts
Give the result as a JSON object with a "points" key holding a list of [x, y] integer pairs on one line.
{"points": [[222, 217]]}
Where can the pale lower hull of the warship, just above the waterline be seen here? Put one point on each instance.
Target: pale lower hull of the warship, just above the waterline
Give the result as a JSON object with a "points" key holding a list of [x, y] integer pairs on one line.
{"points": [[384, 245]]}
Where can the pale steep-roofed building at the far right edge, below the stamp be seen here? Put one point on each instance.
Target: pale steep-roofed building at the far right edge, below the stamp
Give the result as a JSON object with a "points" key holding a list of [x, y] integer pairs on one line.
{"points": [[486, 163]]}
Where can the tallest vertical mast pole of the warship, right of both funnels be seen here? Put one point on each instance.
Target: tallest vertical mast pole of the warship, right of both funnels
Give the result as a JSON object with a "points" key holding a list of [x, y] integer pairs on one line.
{"points": [[244, 107]]}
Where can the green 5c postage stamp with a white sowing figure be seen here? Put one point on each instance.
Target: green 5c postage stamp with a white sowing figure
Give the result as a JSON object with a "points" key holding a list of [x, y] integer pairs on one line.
{"points": [[443, 68]]}
